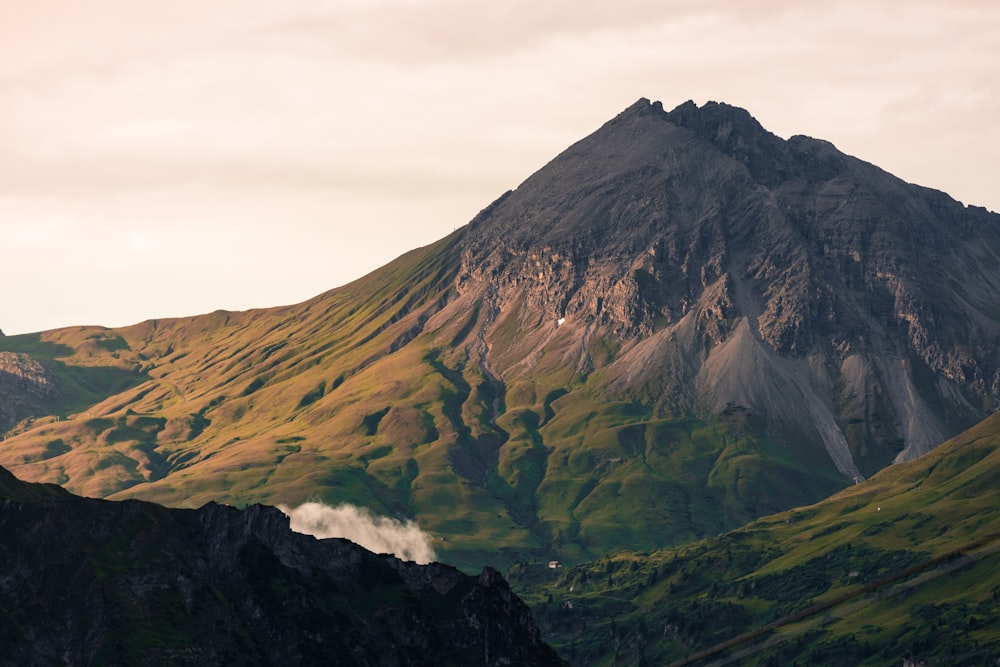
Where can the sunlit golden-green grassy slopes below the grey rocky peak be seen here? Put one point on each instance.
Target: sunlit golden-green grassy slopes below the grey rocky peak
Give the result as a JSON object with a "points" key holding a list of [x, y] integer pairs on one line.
{"points": [[374, 394]]}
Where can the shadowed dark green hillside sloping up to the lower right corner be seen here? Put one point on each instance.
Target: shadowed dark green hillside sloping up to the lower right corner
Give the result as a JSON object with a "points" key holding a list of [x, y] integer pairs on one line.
{"points": [[906, 565]]}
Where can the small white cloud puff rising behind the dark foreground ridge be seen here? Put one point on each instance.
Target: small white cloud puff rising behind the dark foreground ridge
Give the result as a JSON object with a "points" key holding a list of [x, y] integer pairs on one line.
{"points": [[376, 533]]}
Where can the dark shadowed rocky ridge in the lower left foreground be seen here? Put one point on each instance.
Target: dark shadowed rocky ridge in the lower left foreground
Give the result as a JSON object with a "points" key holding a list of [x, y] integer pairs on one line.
{"points": [[86, 581]]}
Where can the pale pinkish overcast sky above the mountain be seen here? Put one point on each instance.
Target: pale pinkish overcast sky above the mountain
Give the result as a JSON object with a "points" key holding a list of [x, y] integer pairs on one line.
{"points": [[172, 157]]}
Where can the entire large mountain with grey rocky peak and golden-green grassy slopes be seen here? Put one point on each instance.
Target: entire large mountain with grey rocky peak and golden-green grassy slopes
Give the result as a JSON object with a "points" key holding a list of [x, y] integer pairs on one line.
{"points": [[680, 323]]}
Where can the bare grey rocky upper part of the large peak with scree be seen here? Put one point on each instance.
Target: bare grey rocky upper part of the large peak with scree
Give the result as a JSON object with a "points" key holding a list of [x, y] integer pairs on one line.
{"points": [[739, 270]]}
